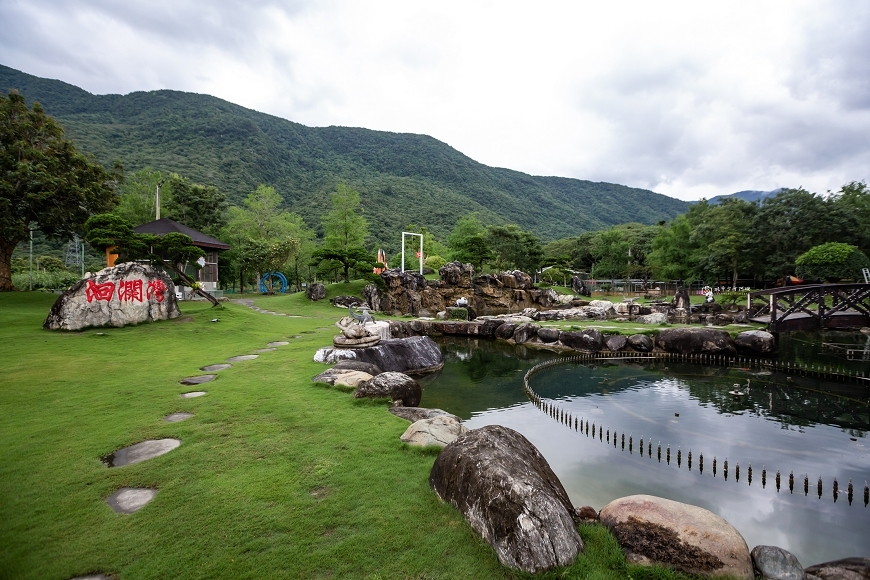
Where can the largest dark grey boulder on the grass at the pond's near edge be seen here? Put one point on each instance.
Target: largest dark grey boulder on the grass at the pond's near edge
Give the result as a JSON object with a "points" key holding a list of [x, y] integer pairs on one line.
{"points": [[509, 495]]}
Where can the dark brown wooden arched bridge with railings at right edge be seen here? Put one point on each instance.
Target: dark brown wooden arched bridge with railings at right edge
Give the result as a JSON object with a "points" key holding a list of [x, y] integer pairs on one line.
{"points": [[812, 307]]}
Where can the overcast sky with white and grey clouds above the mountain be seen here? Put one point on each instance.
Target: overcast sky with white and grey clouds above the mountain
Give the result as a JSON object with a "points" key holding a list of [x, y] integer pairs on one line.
{"points": [[690, 99]]}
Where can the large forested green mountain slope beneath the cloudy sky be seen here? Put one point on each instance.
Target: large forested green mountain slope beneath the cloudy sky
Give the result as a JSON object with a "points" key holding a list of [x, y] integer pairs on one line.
{"points": [[403, 178]]}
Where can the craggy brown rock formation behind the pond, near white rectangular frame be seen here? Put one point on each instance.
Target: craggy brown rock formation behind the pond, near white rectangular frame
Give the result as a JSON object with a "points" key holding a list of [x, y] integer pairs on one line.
{"points": [[410, 293]]}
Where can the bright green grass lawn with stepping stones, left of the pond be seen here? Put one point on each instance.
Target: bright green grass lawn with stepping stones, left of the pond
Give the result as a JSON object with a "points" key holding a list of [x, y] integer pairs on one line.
{"points": [[275, 478]]}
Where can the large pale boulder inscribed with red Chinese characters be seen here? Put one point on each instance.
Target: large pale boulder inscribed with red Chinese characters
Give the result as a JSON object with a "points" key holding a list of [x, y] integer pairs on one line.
{"points": [[128, 293]]}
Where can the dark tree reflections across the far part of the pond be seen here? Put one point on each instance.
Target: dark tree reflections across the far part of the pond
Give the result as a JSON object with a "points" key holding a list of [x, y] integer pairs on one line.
{"points": [[495, 369]]}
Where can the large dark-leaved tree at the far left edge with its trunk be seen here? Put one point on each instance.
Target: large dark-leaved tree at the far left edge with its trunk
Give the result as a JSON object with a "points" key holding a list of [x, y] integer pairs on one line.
{"points": [[45, 180]]}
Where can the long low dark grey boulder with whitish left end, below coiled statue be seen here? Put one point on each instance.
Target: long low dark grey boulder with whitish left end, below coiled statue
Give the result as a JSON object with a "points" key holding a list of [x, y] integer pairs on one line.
{"points": [[413, 355]]}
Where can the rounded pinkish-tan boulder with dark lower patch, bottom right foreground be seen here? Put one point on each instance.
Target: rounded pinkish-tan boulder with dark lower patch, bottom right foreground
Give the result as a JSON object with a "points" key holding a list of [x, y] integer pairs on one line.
{"points": [[653, 530]]}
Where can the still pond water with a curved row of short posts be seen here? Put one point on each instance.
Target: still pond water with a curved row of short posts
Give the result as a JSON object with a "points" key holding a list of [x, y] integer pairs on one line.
{"points": [[799, 424]]}
